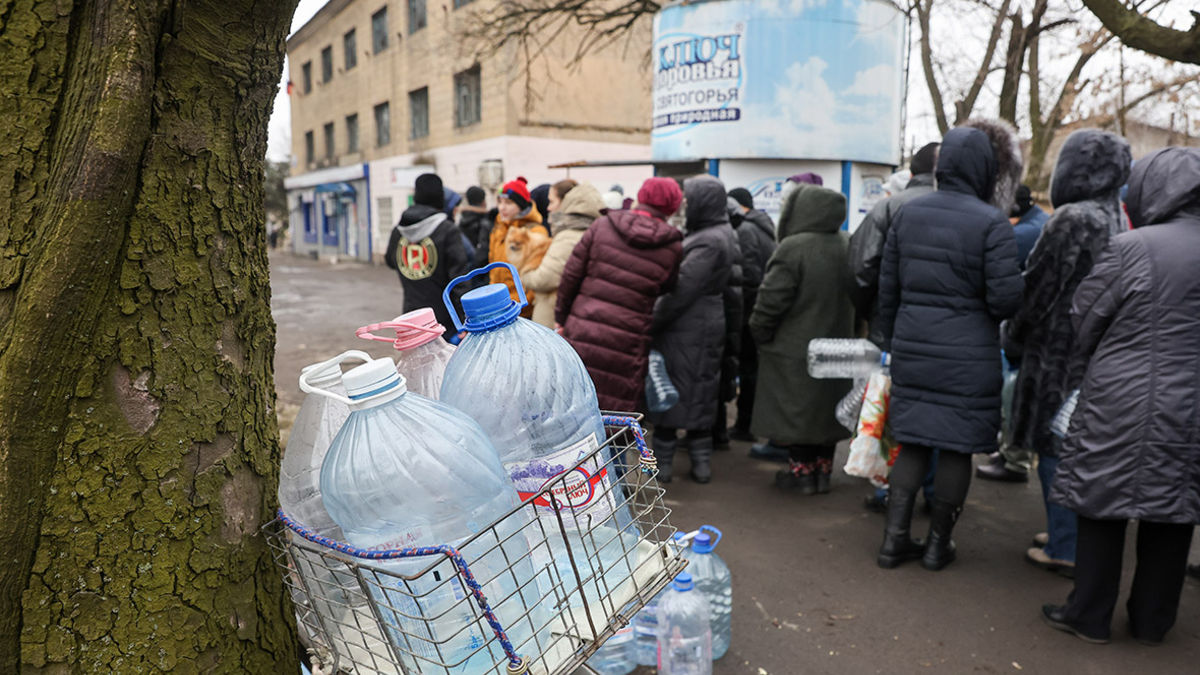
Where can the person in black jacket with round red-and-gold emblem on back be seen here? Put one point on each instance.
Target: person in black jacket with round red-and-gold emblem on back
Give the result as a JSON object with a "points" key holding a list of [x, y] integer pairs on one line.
{"points": [[427, 250]]}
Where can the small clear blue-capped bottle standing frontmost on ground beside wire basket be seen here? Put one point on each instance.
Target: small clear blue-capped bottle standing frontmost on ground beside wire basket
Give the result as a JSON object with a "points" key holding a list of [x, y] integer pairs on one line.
{"points": [[686, 637]]}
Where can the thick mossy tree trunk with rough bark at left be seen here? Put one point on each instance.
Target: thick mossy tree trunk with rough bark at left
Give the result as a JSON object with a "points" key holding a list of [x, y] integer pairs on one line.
{"points": [[139, 449]]}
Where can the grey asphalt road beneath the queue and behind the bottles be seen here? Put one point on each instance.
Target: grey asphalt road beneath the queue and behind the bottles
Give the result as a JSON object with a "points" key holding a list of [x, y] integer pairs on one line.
{"points": [[808, 598]]}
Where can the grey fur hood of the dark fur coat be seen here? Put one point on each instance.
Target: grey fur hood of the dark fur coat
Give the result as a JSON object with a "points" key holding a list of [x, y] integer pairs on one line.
{"points": [[1093, 165]]}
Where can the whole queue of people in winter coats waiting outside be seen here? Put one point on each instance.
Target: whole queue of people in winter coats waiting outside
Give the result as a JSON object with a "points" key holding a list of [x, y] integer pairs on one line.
{"points": [[959, 276]]}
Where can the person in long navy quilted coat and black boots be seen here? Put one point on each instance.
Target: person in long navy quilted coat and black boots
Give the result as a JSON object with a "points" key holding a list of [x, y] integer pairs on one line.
{"points": [[949, 279]]}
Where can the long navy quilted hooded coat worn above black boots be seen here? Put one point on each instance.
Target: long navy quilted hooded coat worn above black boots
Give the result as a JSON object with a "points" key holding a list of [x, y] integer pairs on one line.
{"points": [[949, 279]]}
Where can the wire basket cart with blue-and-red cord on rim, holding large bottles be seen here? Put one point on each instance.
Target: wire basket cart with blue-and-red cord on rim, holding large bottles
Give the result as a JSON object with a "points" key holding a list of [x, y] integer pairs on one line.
{"points": [[580, 577]]}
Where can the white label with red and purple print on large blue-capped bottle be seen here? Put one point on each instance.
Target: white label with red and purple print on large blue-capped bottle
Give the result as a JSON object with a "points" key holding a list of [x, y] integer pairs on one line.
{"points": [[583, 489]]}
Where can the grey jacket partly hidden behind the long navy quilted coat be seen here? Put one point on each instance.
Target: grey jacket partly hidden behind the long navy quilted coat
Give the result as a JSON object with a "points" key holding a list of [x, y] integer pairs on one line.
{"points": [[867, 250]]}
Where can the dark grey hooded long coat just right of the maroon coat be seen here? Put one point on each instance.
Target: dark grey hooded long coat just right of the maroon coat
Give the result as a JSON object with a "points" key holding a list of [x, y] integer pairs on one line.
{"points": [[692, 321]]}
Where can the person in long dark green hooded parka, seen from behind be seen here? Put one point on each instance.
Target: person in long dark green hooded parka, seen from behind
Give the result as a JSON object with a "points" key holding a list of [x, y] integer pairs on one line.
{"points": [[805, 295]]}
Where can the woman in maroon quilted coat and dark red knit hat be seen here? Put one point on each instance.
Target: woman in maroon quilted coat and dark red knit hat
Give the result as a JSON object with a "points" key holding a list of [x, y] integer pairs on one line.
{"points": [[607, 298]]}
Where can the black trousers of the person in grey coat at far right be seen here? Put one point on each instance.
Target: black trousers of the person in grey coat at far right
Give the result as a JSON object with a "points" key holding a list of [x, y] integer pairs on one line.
{"points": [[1157, 584]]}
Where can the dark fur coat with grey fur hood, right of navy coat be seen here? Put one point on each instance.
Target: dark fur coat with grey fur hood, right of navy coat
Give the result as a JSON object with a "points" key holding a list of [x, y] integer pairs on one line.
{"points": [[1093, 168]]}
